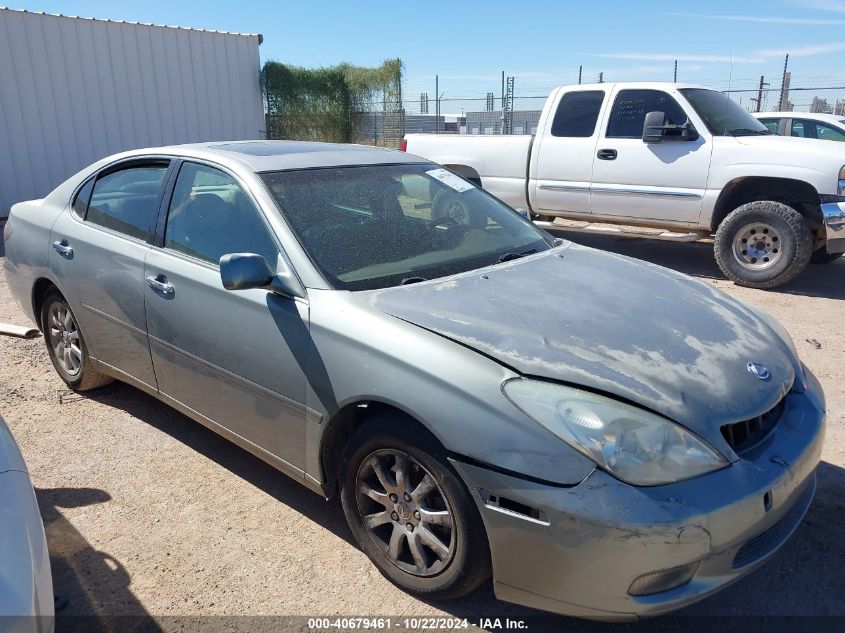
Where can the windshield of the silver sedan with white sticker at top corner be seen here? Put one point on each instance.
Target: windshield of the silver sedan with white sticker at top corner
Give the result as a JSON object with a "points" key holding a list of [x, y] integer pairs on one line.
{"points": [[383, 225]]}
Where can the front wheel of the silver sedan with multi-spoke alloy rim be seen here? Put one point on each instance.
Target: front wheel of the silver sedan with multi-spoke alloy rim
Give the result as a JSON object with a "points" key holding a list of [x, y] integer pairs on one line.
{"points": [[410, 513]]}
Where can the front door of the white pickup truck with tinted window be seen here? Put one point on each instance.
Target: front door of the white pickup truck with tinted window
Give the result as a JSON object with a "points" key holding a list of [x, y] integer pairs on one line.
{"points": [[664, 181]]}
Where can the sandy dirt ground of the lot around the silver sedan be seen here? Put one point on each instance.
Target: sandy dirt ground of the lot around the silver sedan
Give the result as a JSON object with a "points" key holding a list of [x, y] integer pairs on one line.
{"points": [[149, 513]]}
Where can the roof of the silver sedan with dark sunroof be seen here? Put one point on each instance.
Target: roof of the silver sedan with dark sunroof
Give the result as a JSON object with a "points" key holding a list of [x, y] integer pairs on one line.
{"points": [[261, 156]]}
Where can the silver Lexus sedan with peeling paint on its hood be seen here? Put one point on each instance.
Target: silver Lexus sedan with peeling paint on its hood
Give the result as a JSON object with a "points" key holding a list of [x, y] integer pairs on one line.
{"points": [[604, 437]]}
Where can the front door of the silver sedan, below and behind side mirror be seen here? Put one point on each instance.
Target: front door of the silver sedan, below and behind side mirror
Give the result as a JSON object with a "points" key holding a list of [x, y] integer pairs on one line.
{"points": [[236, 358]]}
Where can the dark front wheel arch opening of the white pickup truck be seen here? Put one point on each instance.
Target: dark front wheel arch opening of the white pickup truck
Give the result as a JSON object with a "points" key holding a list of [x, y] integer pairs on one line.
{"points": [[798, 194]]}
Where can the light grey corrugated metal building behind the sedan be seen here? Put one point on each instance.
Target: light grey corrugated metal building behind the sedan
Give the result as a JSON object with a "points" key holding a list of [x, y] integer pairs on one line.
{"points": [[73, 90]]}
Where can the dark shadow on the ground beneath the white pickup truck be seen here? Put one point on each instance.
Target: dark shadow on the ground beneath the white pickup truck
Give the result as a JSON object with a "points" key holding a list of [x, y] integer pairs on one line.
{"points": [[696, 259]]}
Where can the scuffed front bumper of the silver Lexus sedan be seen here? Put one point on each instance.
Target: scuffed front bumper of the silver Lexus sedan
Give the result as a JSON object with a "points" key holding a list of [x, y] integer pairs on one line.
{"points": [[577, 550]]}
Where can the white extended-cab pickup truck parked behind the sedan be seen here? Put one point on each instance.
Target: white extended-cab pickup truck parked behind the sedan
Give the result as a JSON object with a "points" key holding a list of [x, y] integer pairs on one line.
{"points": [[665, 161]]}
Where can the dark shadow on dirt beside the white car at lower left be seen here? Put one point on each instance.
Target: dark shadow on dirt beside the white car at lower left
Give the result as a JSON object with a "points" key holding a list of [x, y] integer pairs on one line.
{"points": [[88, 583]]}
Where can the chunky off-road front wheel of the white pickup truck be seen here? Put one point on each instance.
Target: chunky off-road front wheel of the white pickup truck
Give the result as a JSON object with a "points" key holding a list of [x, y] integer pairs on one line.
{"points": [[763, 244]]}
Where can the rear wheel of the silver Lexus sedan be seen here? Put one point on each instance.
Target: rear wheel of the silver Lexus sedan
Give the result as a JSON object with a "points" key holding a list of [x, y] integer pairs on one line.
{"points": [[66, 344]]}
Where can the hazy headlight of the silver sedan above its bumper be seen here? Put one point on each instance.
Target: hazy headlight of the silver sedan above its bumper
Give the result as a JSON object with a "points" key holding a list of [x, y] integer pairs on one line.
{"points": [[634, 445]]}
